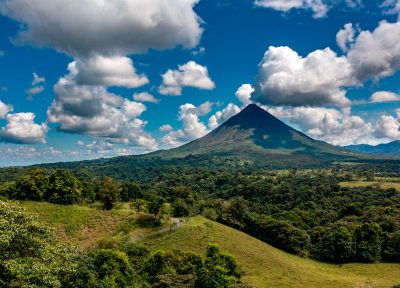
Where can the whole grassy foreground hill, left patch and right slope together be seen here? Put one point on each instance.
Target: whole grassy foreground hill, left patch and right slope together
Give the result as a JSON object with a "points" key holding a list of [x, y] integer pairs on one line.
{"points": [[264, 265]]}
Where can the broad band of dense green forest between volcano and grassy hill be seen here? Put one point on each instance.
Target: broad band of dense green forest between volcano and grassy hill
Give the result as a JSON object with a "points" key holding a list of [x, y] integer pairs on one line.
{"points": [[305, 212]]}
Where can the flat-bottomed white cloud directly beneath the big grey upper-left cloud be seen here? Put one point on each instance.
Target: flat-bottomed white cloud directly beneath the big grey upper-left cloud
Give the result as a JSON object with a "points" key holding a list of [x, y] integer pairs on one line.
{"points": [[108, 71]]}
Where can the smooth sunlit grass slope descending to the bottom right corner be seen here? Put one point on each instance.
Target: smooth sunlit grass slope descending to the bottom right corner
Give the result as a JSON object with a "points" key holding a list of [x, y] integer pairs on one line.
{"points": [[266, 266]]}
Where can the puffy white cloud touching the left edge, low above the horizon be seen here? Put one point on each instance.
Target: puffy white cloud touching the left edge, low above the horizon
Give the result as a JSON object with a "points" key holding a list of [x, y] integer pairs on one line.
{"points": [[21, 129]]}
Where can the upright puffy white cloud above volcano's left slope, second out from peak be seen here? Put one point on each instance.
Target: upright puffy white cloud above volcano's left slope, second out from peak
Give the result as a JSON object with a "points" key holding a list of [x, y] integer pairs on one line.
{"points": [[192, 127]]}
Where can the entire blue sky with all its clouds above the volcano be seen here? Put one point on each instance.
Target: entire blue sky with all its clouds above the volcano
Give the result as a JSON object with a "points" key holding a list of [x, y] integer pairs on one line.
{"points": [[127, 77]]}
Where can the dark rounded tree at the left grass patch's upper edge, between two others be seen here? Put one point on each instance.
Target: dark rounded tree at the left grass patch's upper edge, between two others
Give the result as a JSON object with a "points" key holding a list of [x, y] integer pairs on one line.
{"points": [[64, 188]]}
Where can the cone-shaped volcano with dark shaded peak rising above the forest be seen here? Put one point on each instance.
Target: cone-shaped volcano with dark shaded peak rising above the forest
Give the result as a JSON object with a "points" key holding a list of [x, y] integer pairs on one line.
{"points": [[257, 136]]}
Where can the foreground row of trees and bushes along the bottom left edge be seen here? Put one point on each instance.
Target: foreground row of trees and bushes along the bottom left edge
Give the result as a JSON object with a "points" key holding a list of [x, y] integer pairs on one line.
{"points": [[30, 257]]}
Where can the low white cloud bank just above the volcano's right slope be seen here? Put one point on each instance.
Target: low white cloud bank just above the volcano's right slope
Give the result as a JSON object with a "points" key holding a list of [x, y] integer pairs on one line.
{"points": [[327, 124]]}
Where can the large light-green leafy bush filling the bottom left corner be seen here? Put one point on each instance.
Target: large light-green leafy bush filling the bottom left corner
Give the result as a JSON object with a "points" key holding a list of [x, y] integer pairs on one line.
{"points": [[29, 257]]}
